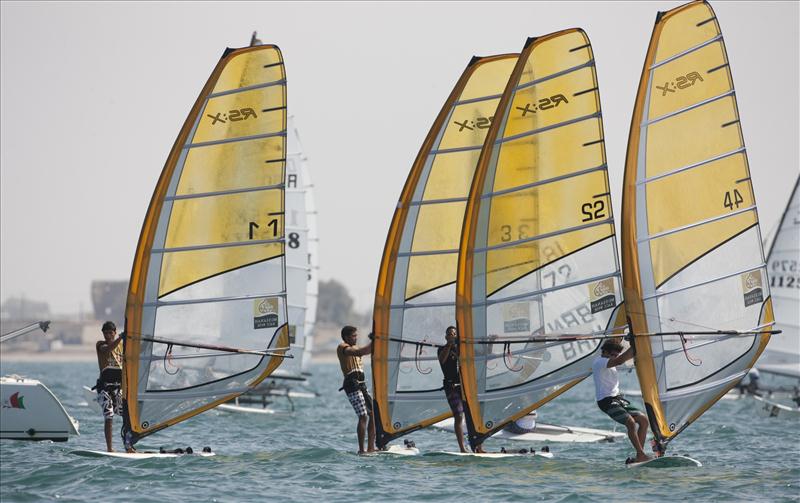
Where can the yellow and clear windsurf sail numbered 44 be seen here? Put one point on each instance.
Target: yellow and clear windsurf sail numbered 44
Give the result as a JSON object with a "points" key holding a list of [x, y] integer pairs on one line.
{"points": [[695, 280]]}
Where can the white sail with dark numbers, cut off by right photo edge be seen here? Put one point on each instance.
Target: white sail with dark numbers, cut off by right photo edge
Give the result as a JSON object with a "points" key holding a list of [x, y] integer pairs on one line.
{"points": [[782, 354]]}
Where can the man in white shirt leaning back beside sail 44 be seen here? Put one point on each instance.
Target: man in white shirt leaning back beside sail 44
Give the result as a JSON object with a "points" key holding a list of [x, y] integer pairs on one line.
{"points": [[606, 386]]}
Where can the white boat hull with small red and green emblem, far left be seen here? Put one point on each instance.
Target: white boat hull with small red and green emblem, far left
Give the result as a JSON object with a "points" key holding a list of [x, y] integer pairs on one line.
{"points": [[30, 411]]}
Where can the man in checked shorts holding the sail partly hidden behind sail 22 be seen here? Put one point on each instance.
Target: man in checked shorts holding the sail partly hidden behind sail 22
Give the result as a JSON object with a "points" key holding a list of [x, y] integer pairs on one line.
{"points": [[354, 384]]}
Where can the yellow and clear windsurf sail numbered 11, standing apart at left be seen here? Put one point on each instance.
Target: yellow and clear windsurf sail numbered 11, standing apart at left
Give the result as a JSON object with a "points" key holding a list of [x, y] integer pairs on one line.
{"points": [[206, 315]]}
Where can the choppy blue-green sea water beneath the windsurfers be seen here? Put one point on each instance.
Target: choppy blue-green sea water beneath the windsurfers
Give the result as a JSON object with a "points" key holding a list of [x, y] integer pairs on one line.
{"points": [[309, 454]]}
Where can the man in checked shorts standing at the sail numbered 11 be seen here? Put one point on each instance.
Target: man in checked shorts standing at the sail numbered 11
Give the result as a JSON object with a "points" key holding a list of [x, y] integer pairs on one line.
{"points": [[109, 392]]}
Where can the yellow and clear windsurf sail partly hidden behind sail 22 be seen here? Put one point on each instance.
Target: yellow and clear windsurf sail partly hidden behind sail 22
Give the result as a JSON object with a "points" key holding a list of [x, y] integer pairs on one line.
{"points": [[415, 296]]}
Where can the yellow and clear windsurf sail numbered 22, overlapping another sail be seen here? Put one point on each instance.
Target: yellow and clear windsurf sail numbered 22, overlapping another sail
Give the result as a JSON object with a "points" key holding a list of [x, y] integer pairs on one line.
{"points": [[538, 276]]}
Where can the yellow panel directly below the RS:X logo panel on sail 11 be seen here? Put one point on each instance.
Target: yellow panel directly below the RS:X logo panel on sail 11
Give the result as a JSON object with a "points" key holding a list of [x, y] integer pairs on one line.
{"points": [[230, 166]]}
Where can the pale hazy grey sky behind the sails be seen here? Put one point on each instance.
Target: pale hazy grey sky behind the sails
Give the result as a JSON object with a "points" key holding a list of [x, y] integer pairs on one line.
{"points": [[93, 96]]}
